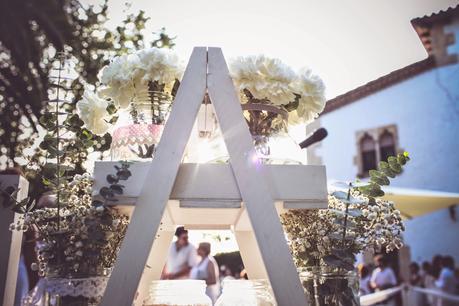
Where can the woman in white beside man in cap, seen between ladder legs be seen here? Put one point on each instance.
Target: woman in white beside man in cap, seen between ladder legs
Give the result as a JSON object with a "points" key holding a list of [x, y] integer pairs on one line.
{"points": [[207, 270]]}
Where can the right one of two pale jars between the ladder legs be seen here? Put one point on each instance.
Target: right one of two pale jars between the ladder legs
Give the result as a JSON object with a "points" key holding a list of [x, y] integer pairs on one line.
{"points": [[246, 293]]}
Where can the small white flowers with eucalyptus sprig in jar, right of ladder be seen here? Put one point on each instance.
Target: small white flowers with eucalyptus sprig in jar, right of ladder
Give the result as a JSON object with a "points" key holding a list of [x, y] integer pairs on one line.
{"points": [[325, 242]]}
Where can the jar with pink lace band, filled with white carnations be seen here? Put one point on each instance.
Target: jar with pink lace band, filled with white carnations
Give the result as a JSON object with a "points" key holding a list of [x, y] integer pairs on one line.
{"points": [[137, 90]]}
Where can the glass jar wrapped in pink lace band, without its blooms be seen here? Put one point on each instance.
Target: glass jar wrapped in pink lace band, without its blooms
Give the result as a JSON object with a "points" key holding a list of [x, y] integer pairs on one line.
{"points": [[139, 127]]}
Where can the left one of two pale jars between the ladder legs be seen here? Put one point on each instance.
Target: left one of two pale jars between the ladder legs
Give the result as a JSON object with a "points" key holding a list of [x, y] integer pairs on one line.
{"points": [[178, 293]]}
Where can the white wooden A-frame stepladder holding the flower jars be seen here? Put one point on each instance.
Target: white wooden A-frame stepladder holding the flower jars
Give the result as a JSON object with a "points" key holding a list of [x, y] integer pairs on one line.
{"points": [[206, 72]]}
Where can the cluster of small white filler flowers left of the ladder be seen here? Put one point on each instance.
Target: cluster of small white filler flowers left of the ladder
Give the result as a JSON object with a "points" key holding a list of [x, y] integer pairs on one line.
{"points": [[83, 240]]}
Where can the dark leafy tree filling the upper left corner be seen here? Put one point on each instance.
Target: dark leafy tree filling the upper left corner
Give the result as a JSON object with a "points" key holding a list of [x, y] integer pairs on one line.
{"points": [[31, 34]]}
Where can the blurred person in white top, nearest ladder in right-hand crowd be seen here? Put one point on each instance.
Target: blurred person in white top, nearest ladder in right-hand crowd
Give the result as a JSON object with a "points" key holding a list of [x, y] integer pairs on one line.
{"points": [[383, 277]]}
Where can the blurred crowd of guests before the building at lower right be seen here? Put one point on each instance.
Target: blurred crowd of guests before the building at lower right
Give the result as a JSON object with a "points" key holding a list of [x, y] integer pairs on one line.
{"points": [[439, 274]]}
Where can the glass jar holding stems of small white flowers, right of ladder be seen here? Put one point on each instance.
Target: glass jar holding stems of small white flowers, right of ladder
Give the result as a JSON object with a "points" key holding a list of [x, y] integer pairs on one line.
{"points": [[330, 286]]}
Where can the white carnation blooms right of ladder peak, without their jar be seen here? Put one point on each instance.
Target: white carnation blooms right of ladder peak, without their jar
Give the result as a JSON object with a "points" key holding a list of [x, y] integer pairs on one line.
{"points": [[267, 81]]}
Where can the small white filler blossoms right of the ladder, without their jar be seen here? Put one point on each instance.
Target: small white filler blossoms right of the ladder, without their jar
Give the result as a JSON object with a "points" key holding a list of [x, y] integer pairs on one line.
{"points": [[316, 237]]}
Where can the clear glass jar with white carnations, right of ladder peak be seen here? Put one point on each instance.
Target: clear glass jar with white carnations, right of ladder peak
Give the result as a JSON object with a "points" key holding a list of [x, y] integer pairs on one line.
{"points": [[274, 97]]}
